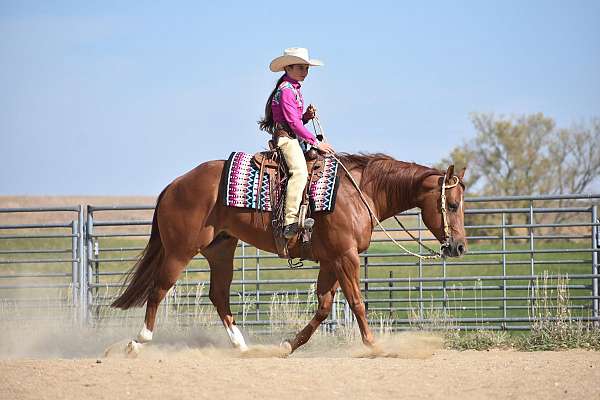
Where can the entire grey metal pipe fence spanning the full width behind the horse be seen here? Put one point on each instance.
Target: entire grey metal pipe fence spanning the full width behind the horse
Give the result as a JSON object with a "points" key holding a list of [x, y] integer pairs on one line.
{"points": [[524, 251]]}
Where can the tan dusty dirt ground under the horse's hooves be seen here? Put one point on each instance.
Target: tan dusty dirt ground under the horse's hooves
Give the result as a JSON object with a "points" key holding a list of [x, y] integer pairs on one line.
{"points": [[201, 366]]}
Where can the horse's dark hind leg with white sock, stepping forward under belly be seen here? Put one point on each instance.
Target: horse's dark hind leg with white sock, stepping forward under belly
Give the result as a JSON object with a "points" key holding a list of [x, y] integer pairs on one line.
{"points": [[220, 258]]}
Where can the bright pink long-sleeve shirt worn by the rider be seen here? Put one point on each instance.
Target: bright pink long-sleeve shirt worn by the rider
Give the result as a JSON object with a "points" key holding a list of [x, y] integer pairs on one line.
{"points": [[288, 106]]}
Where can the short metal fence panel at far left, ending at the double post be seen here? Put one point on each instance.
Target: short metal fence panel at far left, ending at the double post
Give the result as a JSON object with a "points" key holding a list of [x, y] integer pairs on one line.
{"points": [[40, 263]]}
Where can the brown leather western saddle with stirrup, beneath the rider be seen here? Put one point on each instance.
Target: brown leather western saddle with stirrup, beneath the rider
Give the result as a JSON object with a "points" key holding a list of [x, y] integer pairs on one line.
{"points": [[272, 163]]}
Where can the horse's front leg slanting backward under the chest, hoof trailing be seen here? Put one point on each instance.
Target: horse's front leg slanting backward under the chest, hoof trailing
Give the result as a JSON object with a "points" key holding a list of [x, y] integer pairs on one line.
{"points": [[326, 286]]}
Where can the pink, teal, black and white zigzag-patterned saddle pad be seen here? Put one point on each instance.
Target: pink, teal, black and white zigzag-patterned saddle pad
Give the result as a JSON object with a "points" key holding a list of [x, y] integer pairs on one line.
{"points": [[241, 182]]}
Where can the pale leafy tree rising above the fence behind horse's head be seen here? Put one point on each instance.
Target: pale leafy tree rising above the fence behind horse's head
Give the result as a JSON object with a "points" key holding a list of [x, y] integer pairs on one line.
{"points": [[528, 155]]}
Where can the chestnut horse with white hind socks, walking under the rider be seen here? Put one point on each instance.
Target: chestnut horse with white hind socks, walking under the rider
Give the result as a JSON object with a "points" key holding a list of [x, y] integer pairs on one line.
{"points": [[190, 218]]}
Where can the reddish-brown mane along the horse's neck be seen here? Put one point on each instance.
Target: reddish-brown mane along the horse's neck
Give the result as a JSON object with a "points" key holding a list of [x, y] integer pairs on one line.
{"points": [[382, 172]]}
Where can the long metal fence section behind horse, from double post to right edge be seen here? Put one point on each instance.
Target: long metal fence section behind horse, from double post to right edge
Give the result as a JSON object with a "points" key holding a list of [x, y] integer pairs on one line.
{"points": [[524, 250]]}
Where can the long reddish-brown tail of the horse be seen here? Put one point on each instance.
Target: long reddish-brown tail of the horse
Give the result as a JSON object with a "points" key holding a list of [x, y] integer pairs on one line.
{"points": [[141, 277]]}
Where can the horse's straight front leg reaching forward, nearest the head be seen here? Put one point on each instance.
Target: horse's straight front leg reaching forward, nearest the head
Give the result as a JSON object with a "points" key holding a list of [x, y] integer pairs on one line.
{"points": [[347, 270]]}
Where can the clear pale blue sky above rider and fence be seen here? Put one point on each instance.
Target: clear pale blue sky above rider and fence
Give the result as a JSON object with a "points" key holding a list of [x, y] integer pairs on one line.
{"points": [[119, 98]]}
